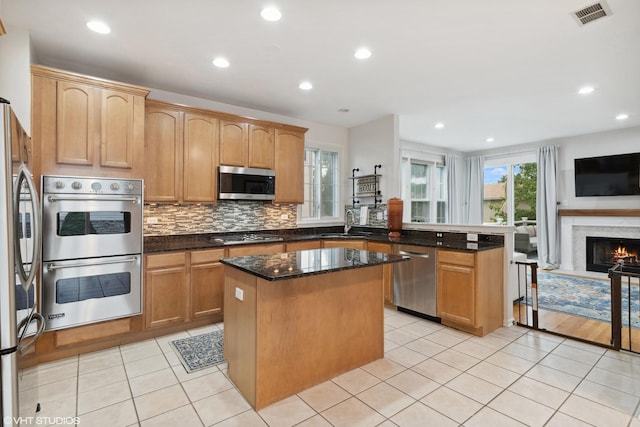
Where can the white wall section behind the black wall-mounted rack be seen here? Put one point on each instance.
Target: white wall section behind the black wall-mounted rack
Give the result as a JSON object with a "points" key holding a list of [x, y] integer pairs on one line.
{"points": [[377, 143]]}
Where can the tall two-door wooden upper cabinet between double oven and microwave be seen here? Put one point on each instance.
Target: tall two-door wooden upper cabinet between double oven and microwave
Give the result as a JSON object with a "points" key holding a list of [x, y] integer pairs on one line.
{"points": [[181, 154]]}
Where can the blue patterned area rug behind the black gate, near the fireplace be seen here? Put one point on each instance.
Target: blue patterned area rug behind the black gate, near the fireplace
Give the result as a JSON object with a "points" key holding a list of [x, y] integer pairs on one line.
{"points": [[584, 297]]}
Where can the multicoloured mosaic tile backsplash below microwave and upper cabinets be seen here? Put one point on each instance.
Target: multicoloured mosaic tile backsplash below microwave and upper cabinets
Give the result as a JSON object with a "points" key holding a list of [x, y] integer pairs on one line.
{"points": [[224, 216]]}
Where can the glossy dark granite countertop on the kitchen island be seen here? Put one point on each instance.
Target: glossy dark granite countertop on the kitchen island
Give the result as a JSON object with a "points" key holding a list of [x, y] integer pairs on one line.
{"points": [[309, 262]]}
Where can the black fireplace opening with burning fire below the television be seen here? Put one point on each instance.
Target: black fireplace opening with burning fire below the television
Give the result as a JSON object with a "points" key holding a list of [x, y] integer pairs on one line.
{"points": [[603, 252]]}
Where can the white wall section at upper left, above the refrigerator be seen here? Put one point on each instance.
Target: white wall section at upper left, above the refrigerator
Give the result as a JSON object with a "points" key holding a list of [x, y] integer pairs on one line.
{"points": [[15, 73]]}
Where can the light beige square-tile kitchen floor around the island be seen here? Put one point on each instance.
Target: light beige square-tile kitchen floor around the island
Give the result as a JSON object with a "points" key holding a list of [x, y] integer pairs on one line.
{"points": [[430, 375]]}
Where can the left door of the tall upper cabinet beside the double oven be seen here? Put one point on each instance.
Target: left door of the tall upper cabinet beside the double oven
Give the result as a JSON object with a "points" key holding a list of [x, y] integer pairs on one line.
{"points": [[163, 155]]}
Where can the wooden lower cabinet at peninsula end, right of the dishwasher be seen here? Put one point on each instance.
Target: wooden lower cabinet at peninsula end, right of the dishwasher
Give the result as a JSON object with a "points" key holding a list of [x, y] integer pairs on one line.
{"points": [[470, 289]]}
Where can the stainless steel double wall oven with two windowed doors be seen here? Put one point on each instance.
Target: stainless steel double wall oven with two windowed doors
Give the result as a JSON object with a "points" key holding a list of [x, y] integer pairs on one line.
{"points": [[92, 249]]}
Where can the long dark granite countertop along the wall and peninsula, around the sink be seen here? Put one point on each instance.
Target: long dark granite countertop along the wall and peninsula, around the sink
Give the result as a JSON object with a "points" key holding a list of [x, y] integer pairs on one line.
{"points": [[455, 241]]}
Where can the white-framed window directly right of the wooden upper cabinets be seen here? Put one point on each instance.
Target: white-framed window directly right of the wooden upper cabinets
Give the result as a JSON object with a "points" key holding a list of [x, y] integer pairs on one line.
{"points": [[321, 184]]}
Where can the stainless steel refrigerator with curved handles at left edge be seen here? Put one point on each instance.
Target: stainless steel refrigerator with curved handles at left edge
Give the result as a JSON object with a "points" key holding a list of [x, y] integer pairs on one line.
{"points": [[20, 254]]}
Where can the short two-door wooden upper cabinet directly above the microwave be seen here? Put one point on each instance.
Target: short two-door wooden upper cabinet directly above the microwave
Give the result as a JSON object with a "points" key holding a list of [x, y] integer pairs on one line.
{"points": [[246, 144]]}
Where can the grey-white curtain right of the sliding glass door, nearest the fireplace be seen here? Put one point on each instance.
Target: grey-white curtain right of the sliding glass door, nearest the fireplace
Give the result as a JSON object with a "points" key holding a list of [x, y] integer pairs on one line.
{"points": [[547, 208]]}
